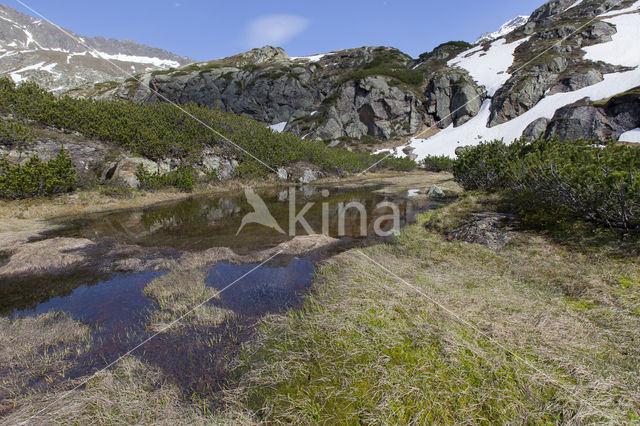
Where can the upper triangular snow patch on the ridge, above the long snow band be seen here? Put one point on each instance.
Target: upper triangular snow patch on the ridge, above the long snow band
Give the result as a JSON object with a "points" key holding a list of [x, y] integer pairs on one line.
{"points": [[489, 68]]}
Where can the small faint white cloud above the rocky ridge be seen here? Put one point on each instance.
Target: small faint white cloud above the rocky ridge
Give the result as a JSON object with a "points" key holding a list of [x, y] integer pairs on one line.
{"points": [[274, 30]]}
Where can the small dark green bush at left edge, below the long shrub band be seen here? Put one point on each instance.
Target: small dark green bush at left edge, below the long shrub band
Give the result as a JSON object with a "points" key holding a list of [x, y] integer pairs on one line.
{"points": [[36, 178]]}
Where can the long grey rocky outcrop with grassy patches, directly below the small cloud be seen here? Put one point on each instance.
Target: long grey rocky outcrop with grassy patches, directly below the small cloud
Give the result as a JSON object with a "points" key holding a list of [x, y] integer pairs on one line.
{"points": [[322, 100]]}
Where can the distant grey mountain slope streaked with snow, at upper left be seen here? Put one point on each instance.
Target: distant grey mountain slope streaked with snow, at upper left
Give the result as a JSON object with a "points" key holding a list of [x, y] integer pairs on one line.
{"points": [[33, 49]]}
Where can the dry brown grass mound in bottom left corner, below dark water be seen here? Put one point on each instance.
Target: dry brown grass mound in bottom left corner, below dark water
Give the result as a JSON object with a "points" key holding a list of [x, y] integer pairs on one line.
{"points": [[130, 393]]}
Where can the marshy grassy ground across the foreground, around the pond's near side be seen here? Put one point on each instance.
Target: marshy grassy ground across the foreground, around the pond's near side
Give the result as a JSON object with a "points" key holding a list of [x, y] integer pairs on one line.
{"points": [[545, 329]]}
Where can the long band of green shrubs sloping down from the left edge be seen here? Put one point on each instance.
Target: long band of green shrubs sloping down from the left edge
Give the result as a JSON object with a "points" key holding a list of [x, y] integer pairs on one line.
{"points": [[161, 130]]}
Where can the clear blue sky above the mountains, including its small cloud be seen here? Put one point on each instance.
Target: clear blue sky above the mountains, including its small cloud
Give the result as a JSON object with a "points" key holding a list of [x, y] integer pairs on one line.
{"points": [[212, 29]]}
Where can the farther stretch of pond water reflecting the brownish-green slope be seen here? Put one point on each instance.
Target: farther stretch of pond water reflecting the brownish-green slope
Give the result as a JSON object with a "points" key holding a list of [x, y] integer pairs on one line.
{"points": [[204, 222]]}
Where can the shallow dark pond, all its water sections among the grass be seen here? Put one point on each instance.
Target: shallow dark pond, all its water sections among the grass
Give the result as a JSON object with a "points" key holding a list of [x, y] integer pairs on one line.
{"points": [[117, 309]]}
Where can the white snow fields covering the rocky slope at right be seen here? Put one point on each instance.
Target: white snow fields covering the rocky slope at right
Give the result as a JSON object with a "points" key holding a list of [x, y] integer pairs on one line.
{"points": [[624, 49]]}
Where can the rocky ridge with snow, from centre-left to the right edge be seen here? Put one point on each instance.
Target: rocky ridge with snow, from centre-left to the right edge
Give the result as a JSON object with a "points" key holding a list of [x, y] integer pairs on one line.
{"points": [[458, 93]]}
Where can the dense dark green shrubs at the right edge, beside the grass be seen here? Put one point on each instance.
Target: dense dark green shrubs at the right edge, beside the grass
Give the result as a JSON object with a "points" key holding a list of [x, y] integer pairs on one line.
{"points": [[596, 183]]}
